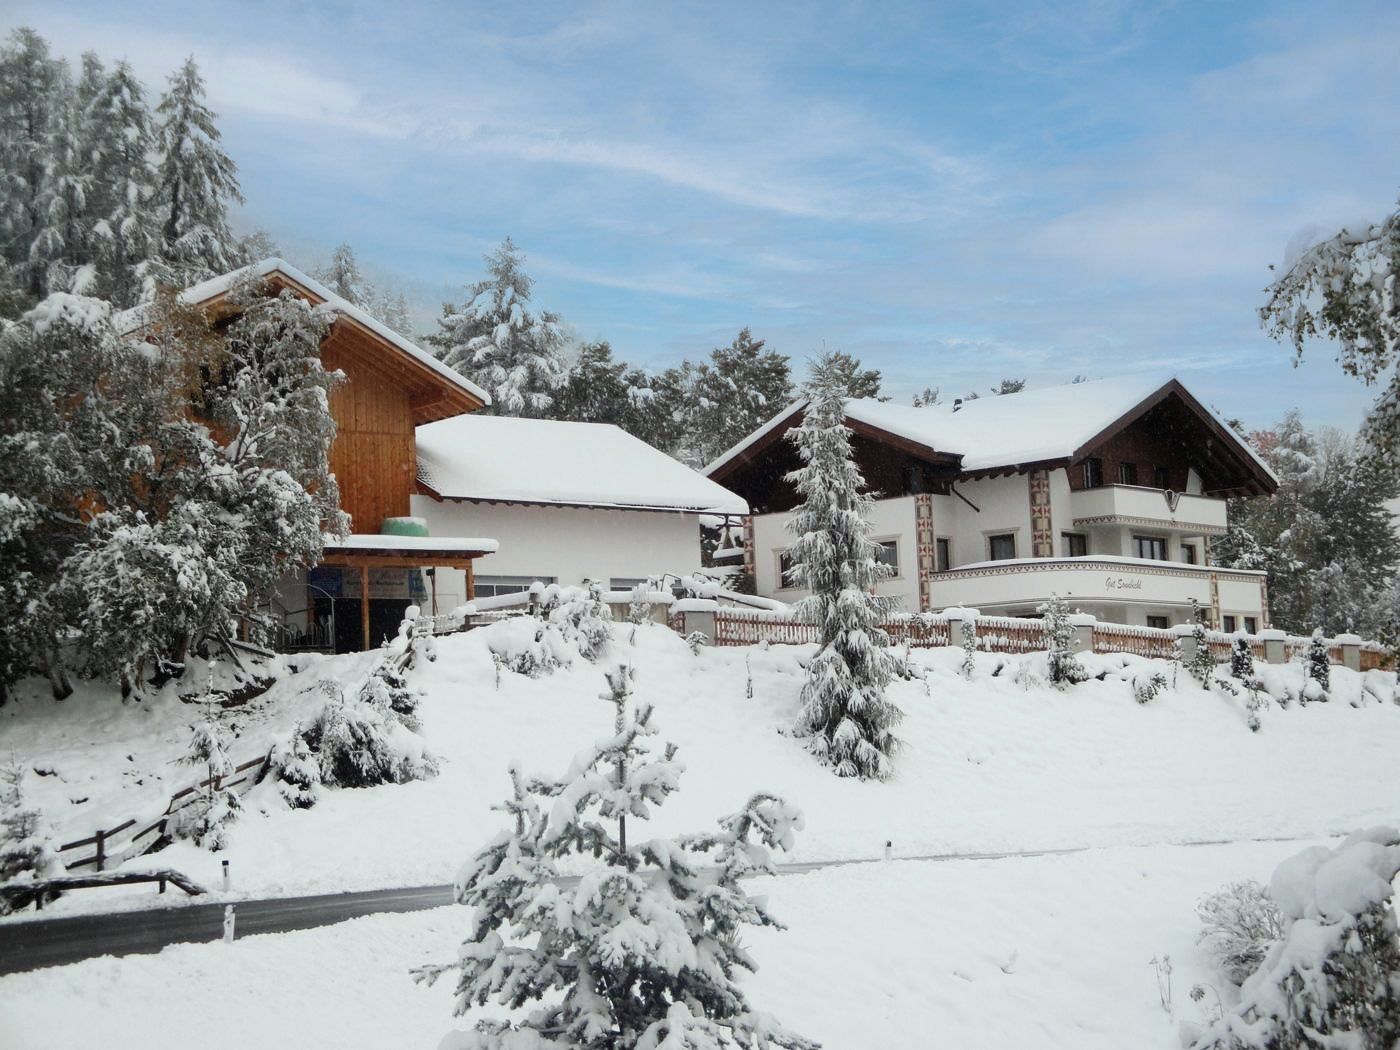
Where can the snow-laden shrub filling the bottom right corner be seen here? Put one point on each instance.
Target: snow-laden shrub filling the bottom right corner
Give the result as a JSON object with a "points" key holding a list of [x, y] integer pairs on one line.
{"points": [[1333, 978]]}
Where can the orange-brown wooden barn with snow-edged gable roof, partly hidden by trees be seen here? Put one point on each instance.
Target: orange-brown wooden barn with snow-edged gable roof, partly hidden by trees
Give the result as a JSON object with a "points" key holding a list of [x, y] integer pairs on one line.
{"points": [[358, 594]]}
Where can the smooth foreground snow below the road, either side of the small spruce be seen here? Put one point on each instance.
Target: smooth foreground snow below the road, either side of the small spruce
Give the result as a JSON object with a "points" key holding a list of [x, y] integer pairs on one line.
{"points": [[1023, 953]]}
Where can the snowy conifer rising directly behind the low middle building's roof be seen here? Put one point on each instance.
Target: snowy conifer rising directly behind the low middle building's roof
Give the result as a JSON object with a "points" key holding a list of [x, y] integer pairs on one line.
{"points": [[496, 339]]}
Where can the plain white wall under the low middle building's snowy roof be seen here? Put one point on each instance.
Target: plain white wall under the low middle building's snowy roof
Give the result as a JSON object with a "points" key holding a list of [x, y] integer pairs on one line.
{"points": [[569, 544]]}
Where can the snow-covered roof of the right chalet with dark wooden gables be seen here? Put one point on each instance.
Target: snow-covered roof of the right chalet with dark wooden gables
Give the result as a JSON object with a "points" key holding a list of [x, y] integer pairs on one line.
{"points": [[1009, 430]]}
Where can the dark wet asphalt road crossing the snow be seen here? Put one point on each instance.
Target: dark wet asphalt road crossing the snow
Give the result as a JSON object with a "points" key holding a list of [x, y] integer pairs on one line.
{"points": [[31, 944]]}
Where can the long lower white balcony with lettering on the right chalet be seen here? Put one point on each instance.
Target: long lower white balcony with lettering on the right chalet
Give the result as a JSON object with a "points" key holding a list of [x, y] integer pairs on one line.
{"points": [[1095, 582]]}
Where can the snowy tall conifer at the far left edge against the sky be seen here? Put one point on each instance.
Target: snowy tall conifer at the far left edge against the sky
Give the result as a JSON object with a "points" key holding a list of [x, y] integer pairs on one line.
{"points": [[34, 96]]}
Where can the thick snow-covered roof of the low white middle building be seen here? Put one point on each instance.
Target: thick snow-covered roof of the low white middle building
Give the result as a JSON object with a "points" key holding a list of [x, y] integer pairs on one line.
{"points": [[507, 460]]}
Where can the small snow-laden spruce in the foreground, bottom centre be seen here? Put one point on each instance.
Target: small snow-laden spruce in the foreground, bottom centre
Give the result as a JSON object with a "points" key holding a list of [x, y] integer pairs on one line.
{"points": [[643, 951]]}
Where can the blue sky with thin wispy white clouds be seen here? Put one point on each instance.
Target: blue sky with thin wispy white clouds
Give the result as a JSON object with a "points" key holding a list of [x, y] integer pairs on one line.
{"points": [[953, 192]]}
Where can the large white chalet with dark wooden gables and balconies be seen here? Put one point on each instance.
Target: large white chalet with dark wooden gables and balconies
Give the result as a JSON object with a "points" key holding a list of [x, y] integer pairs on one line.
{"points": [[1105, 493]]}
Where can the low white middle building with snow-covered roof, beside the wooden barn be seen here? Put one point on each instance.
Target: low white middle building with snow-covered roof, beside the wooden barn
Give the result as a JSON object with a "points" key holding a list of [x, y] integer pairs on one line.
{"points": [[570, 502]]}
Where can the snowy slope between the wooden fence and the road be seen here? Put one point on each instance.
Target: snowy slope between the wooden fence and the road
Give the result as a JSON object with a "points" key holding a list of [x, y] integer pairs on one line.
{"points": [[995, 764]]}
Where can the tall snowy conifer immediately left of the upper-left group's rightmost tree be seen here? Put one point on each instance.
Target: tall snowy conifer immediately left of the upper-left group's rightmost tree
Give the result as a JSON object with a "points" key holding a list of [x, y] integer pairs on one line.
{"points": [[120, 141]]}
